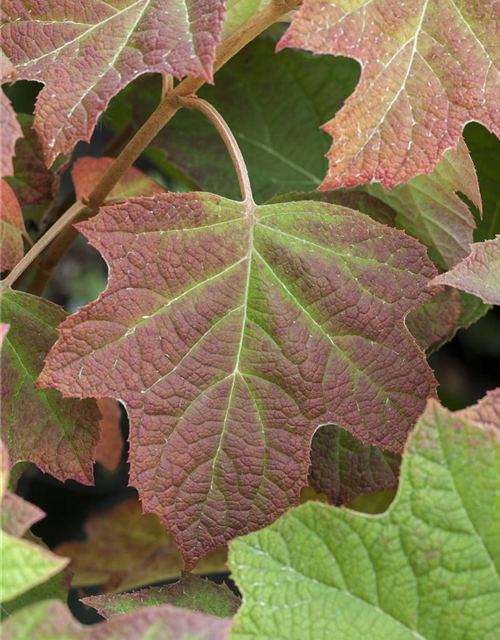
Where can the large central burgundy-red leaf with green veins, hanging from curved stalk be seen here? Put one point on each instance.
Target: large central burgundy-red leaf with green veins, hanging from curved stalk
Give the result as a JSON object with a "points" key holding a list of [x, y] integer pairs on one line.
{"points": [[231, 332]]}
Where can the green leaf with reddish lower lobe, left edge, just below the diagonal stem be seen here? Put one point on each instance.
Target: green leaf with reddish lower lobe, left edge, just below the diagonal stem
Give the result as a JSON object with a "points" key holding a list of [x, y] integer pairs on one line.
{"points": [[56, 434]]}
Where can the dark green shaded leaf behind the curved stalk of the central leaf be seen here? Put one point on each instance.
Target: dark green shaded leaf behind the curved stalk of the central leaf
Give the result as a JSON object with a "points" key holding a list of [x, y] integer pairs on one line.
{"points": [[266, 99]]}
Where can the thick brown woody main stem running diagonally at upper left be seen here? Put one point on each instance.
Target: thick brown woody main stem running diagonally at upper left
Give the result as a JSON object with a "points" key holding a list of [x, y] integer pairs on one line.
{"points": [[168, 106]]}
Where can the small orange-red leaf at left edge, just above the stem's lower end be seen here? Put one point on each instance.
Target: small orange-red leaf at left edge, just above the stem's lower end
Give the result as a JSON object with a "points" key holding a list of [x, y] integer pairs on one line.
{"points": [[11, 228]]}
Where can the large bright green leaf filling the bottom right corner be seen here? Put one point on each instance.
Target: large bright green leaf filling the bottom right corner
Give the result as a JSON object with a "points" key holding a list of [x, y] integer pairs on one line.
{"points": [[428, 568]]}
